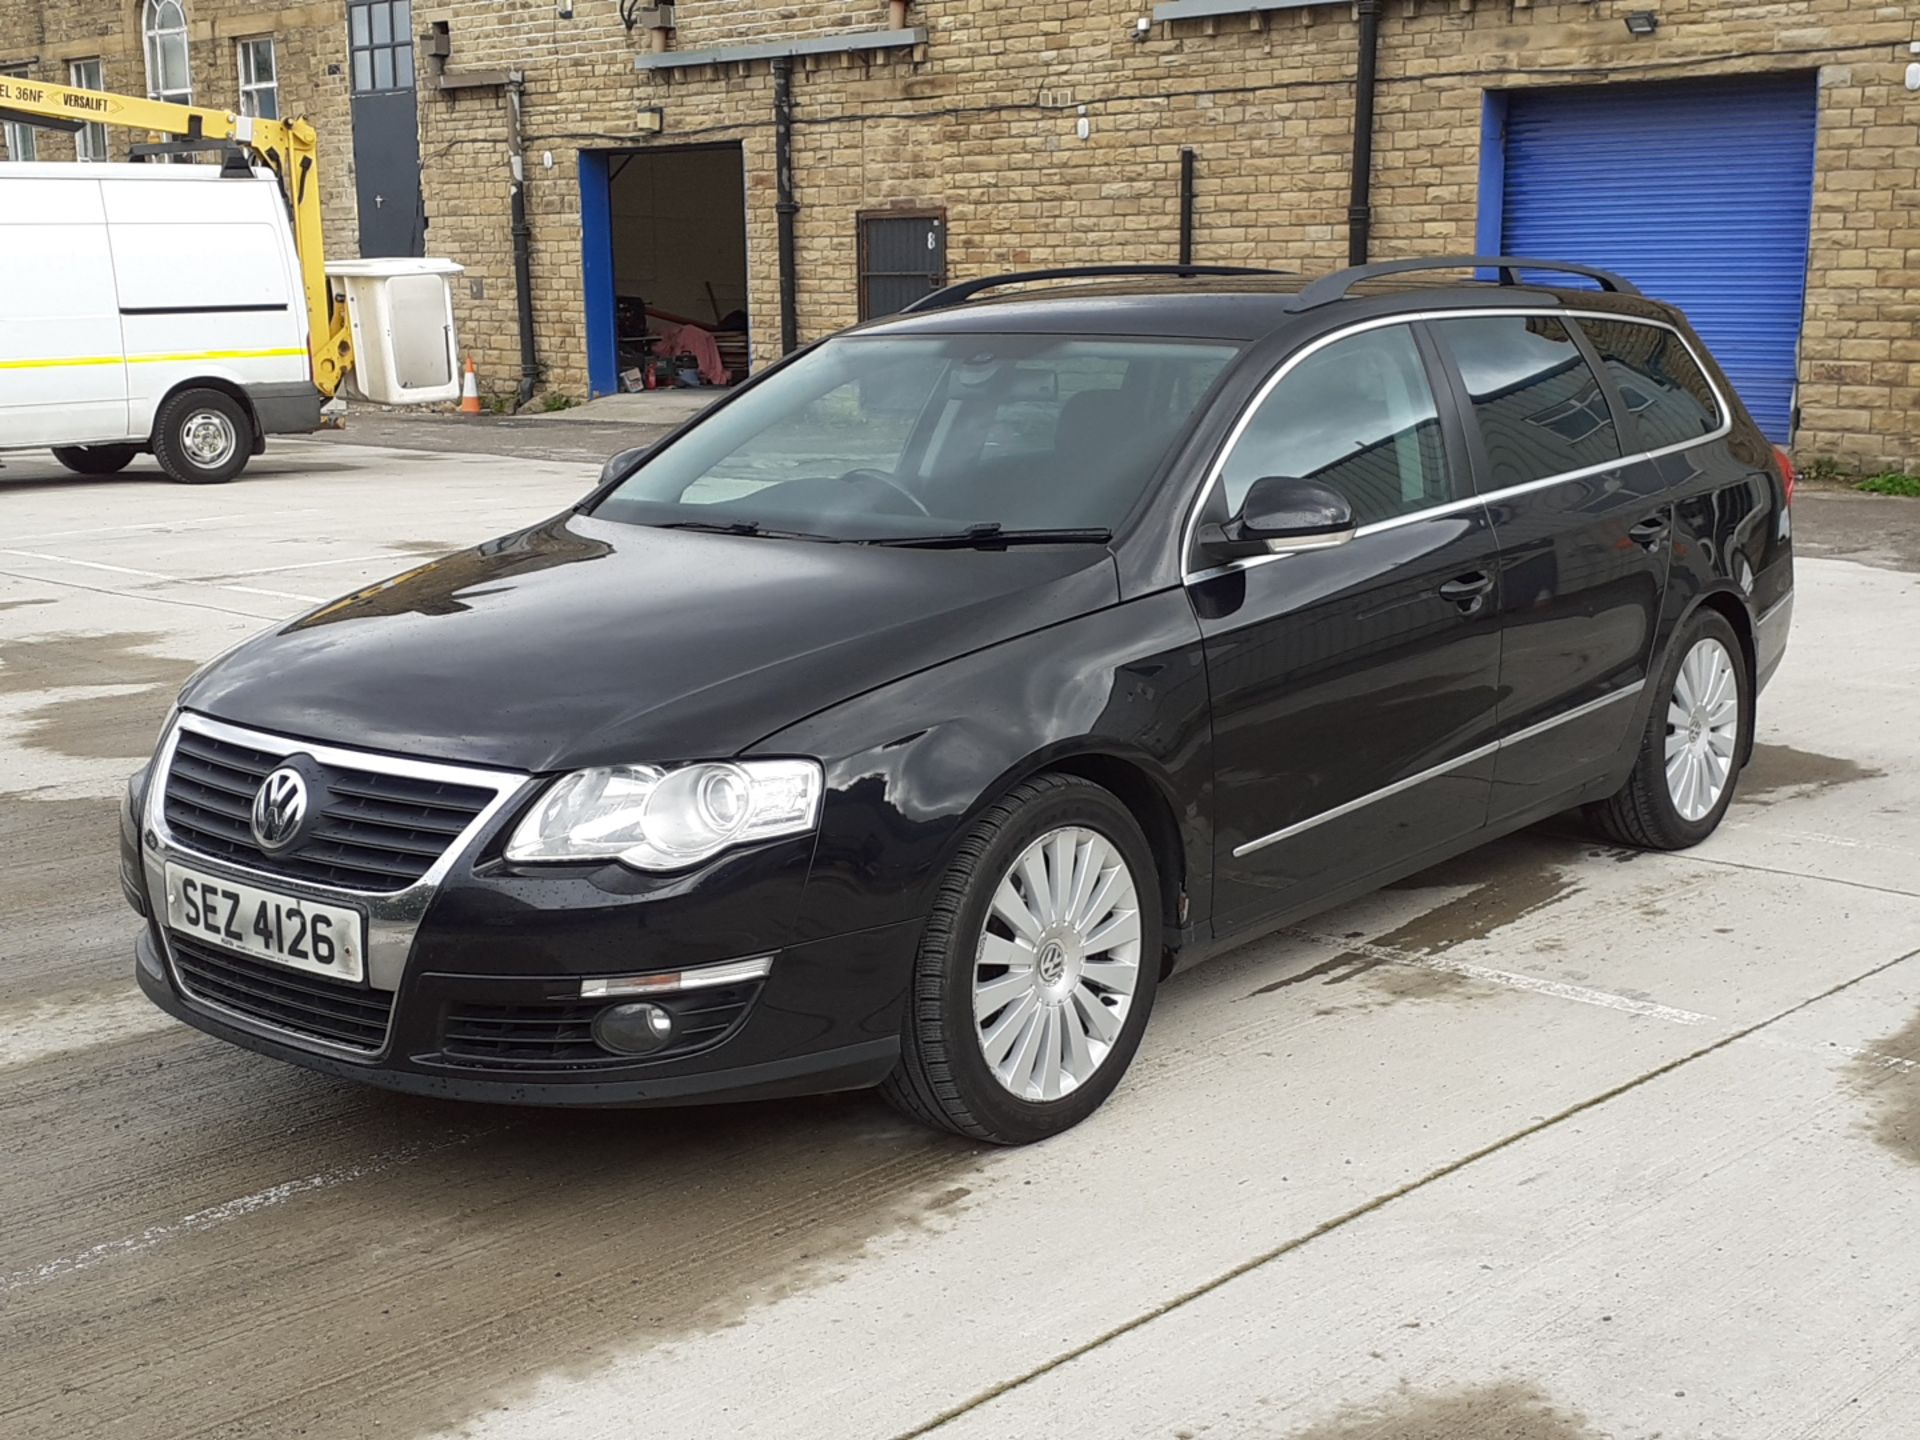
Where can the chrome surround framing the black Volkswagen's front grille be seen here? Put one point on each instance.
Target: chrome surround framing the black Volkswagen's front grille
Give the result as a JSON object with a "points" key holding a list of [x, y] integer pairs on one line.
{"points": [[393, 919]]}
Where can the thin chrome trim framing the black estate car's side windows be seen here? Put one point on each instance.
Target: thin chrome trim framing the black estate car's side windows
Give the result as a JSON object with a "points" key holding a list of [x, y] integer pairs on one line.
{"points": [[1466, 502]]}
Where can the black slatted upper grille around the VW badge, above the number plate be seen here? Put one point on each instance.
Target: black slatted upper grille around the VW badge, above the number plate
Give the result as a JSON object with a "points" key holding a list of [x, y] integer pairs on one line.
{"points": [[377, 832]]}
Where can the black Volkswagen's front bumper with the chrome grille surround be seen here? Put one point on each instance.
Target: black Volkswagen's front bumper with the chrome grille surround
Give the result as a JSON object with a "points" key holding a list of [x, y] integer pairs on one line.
{"points": [[475, 971]]}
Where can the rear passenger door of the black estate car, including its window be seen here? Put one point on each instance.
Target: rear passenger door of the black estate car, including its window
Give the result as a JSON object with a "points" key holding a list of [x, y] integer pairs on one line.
{"points": [[1583, 529]]}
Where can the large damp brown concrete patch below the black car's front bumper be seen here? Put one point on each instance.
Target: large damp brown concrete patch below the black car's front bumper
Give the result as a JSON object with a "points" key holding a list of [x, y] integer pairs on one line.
{"points": [[450, 1284]]}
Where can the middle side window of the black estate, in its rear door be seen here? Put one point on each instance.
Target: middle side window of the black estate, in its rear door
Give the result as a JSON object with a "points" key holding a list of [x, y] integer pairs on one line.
{"points": [[1537, 400]]}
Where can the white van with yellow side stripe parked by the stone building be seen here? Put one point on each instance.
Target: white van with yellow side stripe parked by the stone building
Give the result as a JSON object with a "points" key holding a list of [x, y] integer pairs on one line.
{"points": [[151, 308]]}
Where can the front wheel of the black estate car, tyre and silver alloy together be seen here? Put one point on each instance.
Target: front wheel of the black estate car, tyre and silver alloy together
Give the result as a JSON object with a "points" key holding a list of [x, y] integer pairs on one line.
{"points": [[1038, 969]]}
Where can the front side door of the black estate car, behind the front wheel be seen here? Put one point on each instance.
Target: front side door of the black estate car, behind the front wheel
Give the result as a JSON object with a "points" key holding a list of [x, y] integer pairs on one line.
{"points": [[1353, 686]]}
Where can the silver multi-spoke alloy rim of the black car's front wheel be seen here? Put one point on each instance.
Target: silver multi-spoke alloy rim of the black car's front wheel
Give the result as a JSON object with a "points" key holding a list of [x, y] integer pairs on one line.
{"points": [[1057, 963]]}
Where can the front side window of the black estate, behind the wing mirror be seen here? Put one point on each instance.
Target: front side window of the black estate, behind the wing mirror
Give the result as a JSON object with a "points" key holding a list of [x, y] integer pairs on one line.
{"points": [[1356, 416]]}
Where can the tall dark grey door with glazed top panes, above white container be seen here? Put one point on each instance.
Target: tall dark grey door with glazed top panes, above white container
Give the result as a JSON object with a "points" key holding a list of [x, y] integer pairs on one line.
{"points": [[387, 130]]}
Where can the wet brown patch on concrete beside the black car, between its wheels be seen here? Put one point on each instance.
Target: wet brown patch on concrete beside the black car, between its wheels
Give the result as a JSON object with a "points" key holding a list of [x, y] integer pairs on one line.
{"points": [[1508, 884]]}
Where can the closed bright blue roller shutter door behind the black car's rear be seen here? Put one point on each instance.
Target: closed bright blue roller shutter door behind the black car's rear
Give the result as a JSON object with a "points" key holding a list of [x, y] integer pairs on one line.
{"points": [[1698, 191]]}
